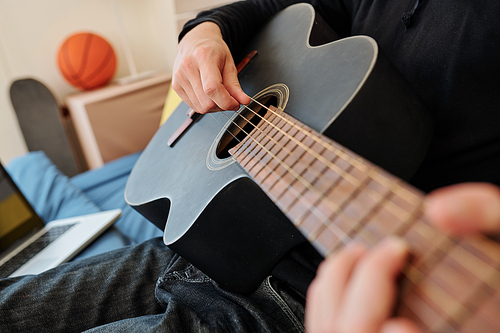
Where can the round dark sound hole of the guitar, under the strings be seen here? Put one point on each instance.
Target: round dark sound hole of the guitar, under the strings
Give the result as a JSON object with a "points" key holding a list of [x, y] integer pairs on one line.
{"points": [[243, 125]]}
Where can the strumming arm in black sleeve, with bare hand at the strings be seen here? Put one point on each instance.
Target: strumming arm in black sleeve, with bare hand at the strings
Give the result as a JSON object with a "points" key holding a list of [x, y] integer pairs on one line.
{"points": [[205, 76]]}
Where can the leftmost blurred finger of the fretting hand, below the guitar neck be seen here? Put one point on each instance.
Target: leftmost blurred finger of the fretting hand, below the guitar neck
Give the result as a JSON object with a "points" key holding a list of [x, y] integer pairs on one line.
{"points": [[325, 292]]}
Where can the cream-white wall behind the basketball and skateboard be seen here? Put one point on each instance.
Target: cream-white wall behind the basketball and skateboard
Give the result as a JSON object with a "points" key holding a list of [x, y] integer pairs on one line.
{"points": [[31, 32]]}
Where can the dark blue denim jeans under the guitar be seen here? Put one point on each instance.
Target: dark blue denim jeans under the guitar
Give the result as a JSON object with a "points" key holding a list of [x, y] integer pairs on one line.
{"points": [[141, 288]]}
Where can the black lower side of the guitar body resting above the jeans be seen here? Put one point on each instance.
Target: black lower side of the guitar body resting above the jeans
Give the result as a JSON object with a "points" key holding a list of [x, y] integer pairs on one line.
{"points": [[242, 226]]}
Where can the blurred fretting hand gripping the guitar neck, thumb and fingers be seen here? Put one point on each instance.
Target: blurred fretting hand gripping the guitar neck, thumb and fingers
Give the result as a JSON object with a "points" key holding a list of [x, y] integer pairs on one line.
{"points": [[354, 291]]}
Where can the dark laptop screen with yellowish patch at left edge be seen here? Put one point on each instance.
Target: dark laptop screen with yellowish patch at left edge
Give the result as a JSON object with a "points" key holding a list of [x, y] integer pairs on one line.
{"points": [[17, 217]]}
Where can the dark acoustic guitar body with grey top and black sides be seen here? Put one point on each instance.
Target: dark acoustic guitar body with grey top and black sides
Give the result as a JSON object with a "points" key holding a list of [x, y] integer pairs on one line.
{"points": [[212, 213]]}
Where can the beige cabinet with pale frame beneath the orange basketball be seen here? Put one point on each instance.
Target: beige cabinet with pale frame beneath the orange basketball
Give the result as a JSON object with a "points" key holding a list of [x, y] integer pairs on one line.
{"points": [[117, 120]]}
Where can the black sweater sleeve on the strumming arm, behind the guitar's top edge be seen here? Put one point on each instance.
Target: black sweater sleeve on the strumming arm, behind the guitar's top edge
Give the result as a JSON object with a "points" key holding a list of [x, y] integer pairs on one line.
{"points": [[241, 20]]}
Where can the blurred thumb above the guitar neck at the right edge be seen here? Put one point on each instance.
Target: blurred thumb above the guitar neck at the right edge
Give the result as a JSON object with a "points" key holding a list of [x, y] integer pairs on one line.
{"points": [[465, 207]]}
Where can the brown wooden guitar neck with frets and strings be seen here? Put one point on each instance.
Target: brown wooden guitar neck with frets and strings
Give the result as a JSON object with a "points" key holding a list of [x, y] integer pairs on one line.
{"points": [[334, 196]]}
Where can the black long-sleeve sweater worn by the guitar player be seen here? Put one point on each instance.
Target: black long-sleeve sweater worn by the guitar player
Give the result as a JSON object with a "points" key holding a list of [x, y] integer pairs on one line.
{"points": [[448, 50]]}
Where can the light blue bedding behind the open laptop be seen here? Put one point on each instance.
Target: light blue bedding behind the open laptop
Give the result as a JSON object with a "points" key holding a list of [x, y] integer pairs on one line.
{"points": [[54, 195]]}
